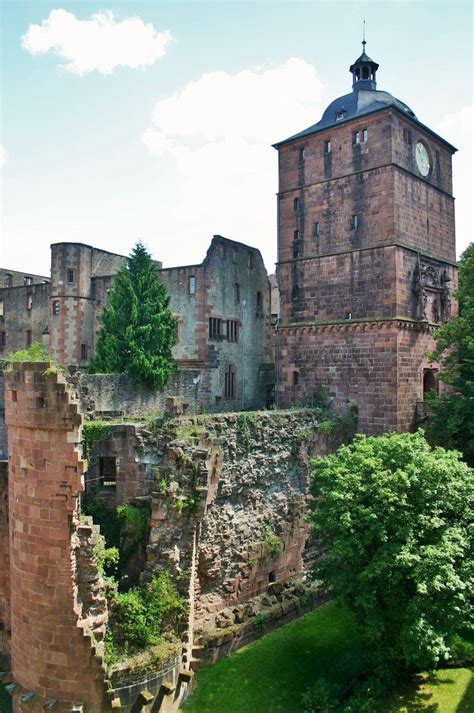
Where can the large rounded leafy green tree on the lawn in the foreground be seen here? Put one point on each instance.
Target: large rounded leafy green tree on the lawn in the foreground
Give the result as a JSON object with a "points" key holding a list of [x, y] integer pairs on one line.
{"points": [[395, 520]]}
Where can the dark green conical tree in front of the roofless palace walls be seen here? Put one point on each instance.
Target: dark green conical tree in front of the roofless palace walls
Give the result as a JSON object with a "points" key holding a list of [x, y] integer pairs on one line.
{"points": [[138, 329]]}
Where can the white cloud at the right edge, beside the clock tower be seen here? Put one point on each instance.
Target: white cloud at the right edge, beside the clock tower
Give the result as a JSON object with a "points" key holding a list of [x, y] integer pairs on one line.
{"points": [[456, 128]]}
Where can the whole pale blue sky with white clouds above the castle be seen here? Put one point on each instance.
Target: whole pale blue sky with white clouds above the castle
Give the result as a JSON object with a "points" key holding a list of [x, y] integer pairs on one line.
{"points": [[154, 120]]}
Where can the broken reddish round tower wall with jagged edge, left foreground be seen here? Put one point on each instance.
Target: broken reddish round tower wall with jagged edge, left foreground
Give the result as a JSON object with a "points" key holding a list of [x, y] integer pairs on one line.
{"points": [[56, 636]]}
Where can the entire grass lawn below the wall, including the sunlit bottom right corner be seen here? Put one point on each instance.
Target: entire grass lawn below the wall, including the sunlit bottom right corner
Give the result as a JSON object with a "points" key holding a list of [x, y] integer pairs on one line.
{"points": [[269, 675]]}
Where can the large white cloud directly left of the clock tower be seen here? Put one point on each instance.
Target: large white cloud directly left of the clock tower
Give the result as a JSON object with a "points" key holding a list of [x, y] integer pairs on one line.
{"points": [[219, 130]]}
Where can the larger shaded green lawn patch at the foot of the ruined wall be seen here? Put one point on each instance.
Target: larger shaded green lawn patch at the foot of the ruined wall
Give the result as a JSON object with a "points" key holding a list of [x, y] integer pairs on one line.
{"points": [[269, 675]]}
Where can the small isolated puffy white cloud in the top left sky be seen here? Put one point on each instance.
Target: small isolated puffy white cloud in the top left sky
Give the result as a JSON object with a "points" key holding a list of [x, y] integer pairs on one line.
{"points": [[99, 44]]}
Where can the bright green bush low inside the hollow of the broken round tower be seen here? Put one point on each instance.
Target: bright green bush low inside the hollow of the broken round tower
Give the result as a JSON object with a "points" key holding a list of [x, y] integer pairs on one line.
{"points": [[140, 616]]}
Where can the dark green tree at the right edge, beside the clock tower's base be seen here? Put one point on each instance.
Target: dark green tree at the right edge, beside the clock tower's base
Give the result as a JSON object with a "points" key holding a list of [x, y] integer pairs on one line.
{"points": [[452, 421]]}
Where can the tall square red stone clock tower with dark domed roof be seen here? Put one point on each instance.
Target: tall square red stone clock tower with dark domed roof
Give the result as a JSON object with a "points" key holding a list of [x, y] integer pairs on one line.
{"points": [[366, 255]]}
